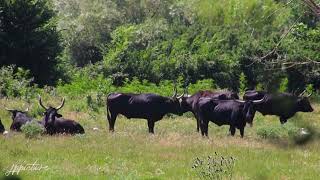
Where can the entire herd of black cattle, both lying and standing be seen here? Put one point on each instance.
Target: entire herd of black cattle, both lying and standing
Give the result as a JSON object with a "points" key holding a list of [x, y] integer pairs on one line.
{"points": [[221, 108]]}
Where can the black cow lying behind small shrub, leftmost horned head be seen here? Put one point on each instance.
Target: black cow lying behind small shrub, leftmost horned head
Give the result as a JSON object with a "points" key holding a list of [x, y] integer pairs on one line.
{"points": [[19, 118]]}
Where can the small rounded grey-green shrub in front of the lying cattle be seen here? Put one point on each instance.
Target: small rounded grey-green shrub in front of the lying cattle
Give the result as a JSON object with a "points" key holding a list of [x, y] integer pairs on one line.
{"points": [[32, 129]]}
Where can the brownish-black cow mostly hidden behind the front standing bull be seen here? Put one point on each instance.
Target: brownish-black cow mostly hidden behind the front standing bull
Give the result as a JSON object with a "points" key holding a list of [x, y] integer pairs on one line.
{"points": [[188, 103]]}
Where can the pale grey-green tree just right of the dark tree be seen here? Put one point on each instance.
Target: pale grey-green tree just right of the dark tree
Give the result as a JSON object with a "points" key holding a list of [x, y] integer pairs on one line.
{"points": [[86, 26]]}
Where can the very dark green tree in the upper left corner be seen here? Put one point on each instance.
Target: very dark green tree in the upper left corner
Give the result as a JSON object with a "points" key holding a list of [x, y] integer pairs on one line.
{"points": [[28, 38]]}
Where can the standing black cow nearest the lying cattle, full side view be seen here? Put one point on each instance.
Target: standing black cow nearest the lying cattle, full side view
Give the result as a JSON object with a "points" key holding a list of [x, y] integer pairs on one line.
{"points": [[145, 106]]}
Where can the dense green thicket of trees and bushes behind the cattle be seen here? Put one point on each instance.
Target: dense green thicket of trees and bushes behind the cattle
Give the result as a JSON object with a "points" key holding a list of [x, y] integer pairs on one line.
{"points": [[127, 45]]}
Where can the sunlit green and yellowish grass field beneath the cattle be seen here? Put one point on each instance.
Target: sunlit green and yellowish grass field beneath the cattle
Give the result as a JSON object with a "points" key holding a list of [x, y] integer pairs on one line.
{"points": [[131, 153]]}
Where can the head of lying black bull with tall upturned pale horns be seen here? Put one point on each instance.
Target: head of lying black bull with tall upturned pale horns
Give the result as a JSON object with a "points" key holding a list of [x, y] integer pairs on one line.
{"points": [[51, 113]]}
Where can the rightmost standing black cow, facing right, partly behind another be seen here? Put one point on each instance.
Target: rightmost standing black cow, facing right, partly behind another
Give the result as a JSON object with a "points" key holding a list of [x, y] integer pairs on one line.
{"points": [[283, 105]]}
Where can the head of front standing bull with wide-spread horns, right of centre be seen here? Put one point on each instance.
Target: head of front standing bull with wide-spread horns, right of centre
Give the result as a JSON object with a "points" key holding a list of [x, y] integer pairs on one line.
{"points": [[248, 109]]}
